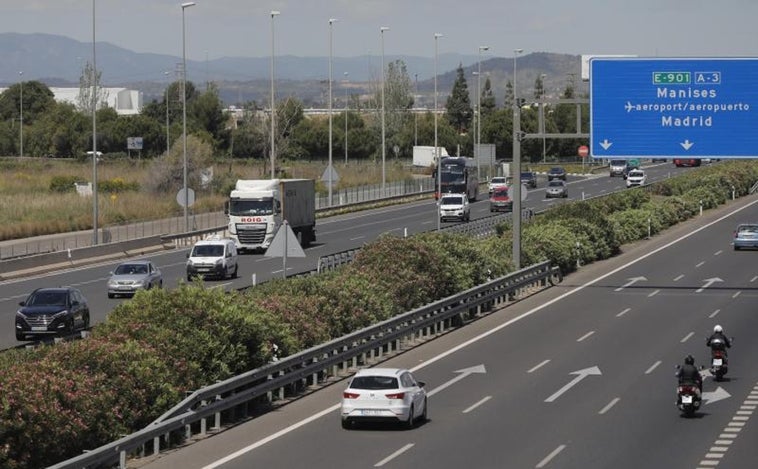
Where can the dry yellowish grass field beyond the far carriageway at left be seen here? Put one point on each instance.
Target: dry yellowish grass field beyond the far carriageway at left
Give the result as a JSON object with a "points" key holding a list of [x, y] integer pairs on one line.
{"points": [[30, 208]]}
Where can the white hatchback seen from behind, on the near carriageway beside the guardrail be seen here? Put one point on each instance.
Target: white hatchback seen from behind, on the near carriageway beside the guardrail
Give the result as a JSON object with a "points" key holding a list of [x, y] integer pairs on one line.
{"points": [[383, 394]]}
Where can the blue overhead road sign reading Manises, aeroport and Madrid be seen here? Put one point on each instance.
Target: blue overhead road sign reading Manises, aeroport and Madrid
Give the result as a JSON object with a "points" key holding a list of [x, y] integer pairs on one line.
{"points": [[674, 107]]}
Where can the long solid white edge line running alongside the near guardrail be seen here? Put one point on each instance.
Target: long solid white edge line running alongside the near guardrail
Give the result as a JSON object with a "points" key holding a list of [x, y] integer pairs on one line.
{"points": [[483, 335]]}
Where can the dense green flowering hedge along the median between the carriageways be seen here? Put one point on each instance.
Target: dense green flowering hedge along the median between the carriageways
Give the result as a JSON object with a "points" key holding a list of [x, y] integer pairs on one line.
{"points": [[61, 400]]}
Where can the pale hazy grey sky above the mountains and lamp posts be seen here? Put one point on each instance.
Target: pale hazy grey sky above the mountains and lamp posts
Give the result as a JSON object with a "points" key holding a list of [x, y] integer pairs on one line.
{"points": [[218, 28]]}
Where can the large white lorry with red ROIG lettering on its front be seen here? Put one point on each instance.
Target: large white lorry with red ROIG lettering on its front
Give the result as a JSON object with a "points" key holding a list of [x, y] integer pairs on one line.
{"points": [[257, 207]]}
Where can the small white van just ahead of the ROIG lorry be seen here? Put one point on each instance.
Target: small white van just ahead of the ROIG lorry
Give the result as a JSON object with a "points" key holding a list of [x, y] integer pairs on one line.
{"points": [[212, 257]]}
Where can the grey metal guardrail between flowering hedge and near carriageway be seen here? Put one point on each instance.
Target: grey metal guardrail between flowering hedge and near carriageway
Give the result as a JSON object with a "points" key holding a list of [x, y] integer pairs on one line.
{"points": [[290, 376]]}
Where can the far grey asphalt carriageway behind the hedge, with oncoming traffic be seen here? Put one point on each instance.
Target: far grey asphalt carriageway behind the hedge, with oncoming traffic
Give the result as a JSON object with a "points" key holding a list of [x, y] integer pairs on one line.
{"points": [[334, 234]]}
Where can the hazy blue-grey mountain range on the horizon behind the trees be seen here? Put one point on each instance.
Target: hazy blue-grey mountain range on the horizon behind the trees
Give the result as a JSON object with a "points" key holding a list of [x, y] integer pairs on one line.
{"points": [[59, 61]]}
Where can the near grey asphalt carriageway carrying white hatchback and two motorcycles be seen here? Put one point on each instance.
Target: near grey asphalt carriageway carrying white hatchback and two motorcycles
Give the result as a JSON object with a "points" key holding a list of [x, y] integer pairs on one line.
{"points": [[578, 376]]}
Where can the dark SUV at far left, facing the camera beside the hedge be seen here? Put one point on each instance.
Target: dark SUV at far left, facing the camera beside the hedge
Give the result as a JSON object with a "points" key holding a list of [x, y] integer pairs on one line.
{"points": [[52, 311]]}
